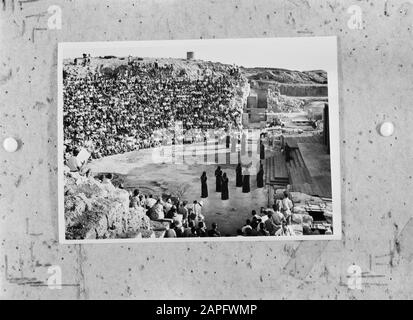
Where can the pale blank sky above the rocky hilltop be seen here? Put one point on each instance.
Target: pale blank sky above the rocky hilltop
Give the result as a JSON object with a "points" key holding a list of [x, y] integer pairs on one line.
{"points": [[300, 53]]}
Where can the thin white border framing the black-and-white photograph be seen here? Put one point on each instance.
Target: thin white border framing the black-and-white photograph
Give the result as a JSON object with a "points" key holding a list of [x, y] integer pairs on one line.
{"points": [[334, 130]]}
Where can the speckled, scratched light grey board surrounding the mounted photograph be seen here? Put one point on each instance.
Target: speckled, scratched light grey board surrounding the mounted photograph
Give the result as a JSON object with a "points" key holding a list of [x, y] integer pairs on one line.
{"points": [[375, 84]]}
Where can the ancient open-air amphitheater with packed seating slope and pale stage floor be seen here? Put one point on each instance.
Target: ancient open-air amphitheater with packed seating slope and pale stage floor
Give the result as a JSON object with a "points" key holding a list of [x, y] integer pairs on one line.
{"points": [[288, 110]]}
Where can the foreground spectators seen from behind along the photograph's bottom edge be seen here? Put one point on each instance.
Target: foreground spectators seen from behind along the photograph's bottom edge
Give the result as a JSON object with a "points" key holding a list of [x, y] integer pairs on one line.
{"points": [[185, 219]]}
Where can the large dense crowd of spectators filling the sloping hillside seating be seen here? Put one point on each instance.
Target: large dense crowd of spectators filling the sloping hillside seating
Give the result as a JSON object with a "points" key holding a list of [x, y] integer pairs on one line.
{"points": [[134, 107]]}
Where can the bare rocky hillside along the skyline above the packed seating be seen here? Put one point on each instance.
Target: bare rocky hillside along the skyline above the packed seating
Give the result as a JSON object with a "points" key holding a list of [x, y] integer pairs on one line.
{"points": [[289, 87]]}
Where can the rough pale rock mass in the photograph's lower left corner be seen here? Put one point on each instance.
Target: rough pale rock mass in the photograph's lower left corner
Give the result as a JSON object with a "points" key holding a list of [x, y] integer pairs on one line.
{"points": [[101, 211]]}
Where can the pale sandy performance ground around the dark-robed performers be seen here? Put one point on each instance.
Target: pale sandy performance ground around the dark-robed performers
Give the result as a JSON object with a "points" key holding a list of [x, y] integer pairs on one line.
{"points": [[145, 170]]}
